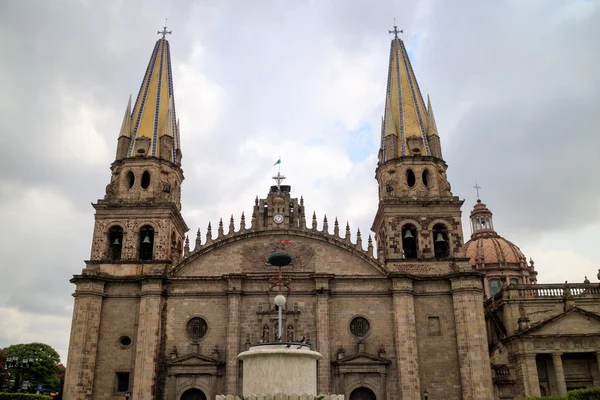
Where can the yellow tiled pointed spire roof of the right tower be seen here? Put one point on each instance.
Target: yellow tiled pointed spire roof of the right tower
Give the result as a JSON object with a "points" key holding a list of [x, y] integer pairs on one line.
{"points": [[406, 117]]}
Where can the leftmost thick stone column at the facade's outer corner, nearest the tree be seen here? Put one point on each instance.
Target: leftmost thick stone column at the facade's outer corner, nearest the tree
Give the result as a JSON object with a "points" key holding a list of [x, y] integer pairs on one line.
{"points": [[85, 326]]}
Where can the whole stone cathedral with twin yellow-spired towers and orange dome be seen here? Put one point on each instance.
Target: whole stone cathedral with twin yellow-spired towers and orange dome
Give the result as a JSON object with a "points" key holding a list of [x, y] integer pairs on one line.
{"points": [[156, 317]]}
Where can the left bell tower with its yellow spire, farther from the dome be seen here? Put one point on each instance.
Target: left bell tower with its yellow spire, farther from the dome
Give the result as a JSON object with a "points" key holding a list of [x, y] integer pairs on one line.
{"points": [[139, 219]]}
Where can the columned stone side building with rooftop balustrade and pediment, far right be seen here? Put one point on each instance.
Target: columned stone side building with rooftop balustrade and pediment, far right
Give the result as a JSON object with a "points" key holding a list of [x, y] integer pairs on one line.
{"points": [[545, 339]]}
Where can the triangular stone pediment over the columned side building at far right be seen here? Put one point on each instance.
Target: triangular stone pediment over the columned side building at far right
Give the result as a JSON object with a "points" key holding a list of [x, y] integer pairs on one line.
{"points": [[575, 321]]}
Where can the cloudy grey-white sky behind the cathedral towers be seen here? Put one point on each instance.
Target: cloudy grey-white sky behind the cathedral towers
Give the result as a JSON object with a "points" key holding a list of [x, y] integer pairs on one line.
{"points": [[515, 86]]}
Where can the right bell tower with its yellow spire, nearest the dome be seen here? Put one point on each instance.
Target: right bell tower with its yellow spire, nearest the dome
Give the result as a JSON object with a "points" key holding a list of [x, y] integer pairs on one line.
{"points": [[418, 217]]}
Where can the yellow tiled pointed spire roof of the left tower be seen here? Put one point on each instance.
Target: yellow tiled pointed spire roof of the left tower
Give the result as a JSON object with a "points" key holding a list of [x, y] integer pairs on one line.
{"points": [[153, 114]]}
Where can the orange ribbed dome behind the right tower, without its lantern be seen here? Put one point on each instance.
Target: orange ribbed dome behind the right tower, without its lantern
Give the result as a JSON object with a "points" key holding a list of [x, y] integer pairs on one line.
{"points": [[493, 249]]}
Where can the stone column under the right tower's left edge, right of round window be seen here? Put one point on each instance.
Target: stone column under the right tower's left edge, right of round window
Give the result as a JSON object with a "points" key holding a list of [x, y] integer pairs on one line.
{"points": [[405, 338]]}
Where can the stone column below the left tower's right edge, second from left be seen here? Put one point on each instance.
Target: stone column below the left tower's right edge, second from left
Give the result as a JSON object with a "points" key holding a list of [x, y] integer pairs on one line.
{"points": [[148, 340]]}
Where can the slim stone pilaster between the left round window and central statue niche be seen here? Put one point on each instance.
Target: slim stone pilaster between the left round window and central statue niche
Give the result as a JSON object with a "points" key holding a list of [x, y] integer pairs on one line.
{"points": [[234, 294]]}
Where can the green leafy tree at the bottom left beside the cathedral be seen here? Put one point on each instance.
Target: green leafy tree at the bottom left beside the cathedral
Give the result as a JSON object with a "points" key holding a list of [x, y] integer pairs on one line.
{"points": [[42, 371]]}
